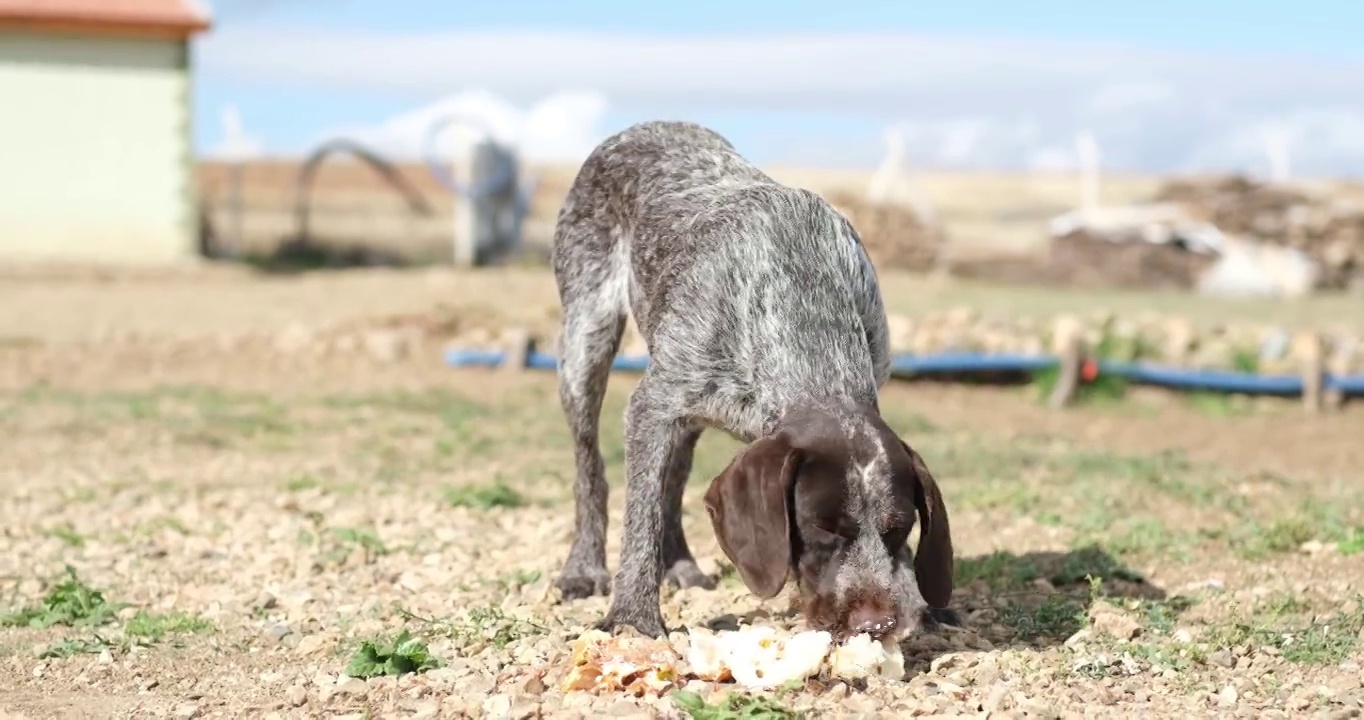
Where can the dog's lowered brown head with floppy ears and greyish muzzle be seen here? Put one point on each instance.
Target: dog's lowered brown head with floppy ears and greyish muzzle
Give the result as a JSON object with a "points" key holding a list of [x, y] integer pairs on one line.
{"points": [[833, 502]]}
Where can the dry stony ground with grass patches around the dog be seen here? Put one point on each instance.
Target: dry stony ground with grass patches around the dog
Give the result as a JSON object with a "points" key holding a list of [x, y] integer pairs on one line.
{"points": [[207, 519]]}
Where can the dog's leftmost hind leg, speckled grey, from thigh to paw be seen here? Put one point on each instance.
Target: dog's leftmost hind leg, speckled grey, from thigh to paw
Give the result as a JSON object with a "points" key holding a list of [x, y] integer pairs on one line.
{"points": [[593, 280]]}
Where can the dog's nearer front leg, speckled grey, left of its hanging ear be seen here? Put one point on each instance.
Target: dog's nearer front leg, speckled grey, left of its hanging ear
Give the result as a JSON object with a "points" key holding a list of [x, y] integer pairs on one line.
{"points": [[653, 434]]}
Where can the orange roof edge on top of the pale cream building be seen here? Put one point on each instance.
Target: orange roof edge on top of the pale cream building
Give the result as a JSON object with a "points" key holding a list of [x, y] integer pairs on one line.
{"points": [[179, 18]]}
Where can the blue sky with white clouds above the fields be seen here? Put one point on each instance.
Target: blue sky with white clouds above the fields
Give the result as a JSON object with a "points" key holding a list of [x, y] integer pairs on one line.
{"points": [[1161, 85]]}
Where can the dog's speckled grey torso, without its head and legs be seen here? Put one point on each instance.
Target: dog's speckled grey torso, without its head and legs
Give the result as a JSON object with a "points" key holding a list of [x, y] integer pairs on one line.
{"points": [[748, 292]]}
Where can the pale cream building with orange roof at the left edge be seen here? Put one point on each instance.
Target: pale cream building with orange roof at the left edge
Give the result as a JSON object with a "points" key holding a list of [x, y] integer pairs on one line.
{"points": [[96, 132]]}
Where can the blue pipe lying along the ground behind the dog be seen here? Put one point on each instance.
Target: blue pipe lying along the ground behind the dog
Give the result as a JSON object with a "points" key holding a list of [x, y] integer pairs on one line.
{"points": [[1219, 381]]}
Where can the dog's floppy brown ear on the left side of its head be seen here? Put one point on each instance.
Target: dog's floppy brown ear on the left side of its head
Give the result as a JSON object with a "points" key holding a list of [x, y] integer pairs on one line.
{"points": [[748, 508]]}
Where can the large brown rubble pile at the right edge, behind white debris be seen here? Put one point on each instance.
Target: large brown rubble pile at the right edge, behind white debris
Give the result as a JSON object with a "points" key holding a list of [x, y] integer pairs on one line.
{"points": [[1331, 234]]}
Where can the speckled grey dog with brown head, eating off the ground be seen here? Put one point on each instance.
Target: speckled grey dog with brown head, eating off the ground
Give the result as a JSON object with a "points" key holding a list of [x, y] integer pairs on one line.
{"points": [[763, 318]]}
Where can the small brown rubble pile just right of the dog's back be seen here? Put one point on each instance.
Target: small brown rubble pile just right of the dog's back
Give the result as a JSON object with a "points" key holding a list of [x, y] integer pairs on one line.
{"points": [[894, 235]]}
